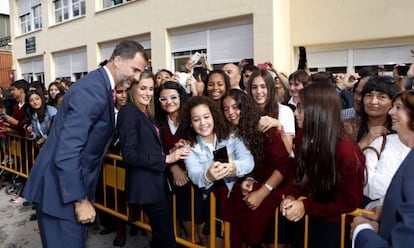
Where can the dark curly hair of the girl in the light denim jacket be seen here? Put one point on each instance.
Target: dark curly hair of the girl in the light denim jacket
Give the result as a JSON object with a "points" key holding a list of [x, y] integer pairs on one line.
{"points": [[221, 127]]}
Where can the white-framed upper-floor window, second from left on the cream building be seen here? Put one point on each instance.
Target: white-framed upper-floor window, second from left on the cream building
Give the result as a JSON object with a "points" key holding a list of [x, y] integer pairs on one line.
{"points": [[68, 9]]}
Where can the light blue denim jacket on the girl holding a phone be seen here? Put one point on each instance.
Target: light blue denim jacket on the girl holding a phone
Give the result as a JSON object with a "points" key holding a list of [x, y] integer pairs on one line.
{"points": [[198, 162]]}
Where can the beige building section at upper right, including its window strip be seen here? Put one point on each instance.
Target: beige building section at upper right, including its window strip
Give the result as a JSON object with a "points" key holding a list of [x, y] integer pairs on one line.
{"points": [[352, 33]]}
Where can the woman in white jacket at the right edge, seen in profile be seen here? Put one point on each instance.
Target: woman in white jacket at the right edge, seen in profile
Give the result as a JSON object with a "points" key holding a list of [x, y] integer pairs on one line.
{"points": [[385, 154]]}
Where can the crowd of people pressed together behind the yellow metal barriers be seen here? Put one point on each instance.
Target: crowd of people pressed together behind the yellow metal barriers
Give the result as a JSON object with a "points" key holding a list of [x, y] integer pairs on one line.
{"points": [[312, 144]]}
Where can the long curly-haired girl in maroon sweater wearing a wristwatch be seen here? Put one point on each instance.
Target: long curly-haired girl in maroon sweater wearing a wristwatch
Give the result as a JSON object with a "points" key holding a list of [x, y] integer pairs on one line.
{"points": [[257, 197]]}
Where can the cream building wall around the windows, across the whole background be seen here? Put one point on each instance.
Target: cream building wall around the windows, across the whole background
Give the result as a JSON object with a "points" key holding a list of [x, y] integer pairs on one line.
{"points": [[327, 28]]}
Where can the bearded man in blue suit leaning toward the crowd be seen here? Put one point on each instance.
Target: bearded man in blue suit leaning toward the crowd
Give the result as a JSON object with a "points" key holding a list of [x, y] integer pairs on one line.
{"points": [[63, 179]]}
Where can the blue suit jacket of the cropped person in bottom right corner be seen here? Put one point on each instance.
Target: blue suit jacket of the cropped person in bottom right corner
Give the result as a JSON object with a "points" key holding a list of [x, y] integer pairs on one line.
{"points": [[396, 228]]}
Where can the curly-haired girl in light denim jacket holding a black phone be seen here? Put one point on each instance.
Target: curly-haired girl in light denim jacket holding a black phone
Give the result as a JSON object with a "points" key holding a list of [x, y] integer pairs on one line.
{"points": [[206, 130]]}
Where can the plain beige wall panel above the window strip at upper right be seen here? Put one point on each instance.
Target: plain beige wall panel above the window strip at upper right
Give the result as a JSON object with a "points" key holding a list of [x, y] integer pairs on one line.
{"points": [[320, 22]]}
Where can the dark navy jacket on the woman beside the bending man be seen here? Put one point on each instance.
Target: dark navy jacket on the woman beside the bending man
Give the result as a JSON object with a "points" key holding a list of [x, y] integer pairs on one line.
{"points": [[143, 153]]}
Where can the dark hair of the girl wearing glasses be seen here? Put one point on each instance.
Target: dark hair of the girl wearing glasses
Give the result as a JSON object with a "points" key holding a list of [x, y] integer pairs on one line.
{"points": [[160, 114]]}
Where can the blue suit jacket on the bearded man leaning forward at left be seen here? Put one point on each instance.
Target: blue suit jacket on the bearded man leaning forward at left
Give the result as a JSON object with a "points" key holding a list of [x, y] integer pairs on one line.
{"points": [[67, 167]]}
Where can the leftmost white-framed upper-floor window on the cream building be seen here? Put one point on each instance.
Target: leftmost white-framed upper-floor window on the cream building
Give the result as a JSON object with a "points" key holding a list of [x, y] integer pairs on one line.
{"points": [[29, 15]]}
